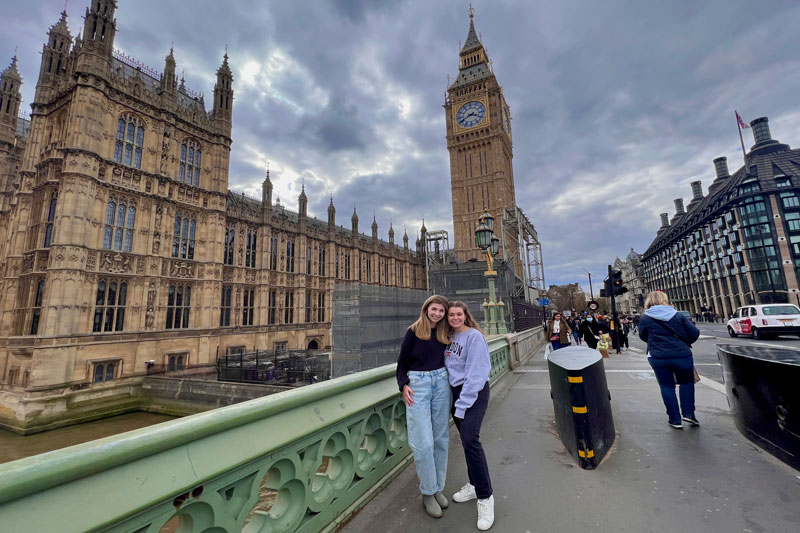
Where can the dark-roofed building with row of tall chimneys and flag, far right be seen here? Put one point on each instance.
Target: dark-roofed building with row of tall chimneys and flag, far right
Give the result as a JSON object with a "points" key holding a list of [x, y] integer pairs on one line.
{"points": [[739, 244]]}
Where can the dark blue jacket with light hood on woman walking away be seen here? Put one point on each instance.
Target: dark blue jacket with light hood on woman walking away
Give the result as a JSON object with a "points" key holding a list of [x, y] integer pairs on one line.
{"points": [[654, 329]]}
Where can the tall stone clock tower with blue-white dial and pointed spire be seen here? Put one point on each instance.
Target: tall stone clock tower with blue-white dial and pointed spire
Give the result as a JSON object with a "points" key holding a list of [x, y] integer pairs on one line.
{"points": [[479, 141]]}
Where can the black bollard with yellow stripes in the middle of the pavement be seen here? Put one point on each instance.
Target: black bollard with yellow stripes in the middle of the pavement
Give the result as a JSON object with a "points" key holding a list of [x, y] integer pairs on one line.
{"points": [[582, 404]]}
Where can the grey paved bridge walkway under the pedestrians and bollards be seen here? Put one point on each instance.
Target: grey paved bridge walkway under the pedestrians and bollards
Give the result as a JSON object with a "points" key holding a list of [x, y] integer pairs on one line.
{"points": [[655, 479]]}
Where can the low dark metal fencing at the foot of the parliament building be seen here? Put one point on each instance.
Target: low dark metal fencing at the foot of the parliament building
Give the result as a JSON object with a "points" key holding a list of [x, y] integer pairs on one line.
{"points": [[268, 367]]}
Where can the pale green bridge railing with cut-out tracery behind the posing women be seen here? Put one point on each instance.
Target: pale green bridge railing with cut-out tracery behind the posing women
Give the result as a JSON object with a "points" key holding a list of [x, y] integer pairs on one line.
{"points": [[300, 460]]}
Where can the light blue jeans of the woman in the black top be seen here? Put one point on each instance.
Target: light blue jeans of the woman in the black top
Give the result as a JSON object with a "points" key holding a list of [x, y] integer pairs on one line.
{"points": [[428, 422]]}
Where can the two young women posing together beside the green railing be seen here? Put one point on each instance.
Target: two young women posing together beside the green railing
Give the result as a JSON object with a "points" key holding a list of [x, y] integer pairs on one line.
{"points": [[443, 369]]}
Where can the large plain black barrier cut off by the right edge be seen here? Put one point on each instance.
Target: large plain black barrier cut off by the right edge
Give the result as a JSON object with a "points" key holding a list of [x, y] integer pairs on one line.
{"points": [[763, 393]]}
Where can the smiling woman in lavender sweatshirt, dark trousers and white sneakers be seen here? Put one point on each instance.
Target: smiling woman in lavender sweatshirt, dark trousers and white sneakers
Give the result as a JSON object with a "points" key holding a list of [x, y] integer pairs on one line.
{"points": [[468, 364]]}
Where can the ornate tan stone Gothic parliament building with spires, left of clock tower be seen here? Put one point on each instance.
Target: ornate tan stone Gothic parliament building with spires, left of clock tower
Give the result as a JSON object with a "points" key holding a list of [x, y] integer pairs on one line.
{"points": [[121, 244]]}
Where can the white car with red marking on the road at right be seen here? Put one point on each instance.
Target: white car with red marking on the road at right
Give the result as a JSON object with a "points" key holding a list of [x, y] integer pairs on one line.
{"points": [[762, 321]]}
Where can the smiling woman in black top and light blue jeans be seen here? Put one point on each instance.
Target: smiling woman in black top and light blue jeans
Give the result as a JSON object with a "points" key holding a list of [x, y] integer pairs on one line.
{"points": [[422, 378]]}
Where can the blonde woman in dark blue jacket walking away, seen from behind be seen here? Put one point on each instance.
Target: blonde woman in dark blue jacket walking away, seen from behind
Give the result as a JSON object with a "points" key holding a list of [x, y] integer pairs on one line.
{"points": [[669, 337]]}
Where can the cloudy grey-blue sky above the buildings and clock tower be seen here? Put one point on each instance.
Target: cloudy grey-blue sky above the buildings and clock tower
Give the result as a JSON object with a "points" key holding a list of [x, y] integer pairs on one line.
{"points": [[617, 106]]}
